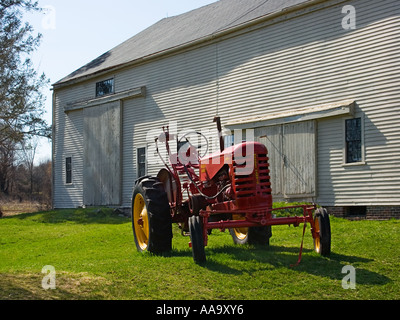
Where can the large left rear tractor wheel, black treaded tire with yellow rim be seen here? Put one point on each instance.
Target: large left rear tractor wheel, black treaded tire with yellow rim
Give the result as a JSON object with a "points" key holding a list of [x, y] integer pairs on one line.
{"points": [[151, 217]]}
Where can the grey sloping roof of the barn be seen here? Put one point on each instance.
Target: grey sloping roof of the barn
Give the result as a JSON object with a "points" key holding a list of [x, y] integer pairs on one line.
{"points": [[175, 32]]}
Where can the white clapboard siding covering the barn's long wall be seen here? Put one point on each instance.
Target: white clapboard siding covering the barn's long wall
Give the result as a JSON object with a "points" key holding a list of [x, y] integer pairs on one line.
{"points": [[305, 61]]}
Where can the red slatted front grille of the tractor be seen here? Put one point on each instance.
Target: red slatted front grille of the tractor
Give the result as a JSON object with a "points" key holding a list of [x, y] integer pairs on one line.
{"points": [[254, 183]]}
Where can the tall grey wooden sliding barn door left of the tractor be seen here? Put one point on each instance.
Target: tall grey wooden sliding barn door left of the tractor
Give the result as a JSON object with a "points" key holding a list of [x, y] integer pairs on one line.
{"points": [[102, 154]]}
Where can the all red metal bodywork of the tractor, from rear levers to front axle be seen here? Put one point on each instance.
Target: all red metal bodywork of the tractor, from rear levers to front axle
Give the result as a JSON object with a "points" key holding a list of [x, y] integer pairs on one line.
{"points": [[246, 201]]}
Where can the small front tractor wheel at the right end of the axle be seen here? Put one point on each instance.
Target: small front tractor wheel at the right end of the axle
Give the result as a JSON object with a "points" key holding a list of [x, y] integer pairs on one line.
{"points": [[324, 246]]}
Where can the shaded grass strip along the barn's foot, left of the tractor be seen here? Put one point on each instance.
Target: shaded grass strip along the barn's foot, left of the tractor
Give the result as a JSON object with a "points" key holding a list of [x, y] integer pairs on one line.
{"points": [[77, 216]]}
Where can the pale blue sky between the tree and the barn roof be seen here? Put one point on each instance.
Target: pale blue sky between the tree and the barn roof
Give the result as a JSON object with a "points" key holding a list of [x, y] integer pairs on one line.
{"points": [[77, 31]]}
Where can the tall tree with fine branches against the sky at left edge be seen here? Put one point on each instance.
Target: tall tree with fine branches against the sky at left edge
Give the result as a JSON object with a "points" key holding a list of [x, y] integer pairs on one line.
{"points": [[21, 98]]}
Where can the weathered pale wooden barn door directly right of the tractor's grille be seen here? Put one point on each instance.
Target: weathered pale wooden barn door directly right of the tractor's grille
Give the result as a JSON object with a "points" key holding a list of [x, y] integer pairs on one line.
{"points": [[292, 156]]}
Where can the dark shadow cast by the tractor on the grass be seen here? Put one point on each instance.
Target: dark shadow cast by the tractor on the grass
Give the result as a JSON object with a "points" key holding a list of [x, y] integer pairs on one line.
{"points": [[237, 260]]}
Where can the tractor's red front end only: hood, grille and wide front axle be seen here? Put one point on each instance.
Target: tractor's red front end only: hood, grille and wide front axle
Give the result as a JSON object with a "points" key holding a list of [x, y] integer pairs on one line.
{"points": [[253, 199]]}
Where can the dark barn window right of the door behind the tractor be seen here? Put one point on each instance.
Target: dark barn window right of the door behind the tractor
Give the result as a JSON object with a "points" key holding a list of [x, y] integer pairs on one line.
{"points": [[354, 140]]}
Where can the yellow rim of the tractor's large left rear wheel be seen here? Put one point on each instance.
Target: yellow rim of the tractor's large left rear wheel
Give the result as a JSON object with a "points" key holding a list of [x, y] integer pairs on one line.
{"points": [[141, 222]]}
